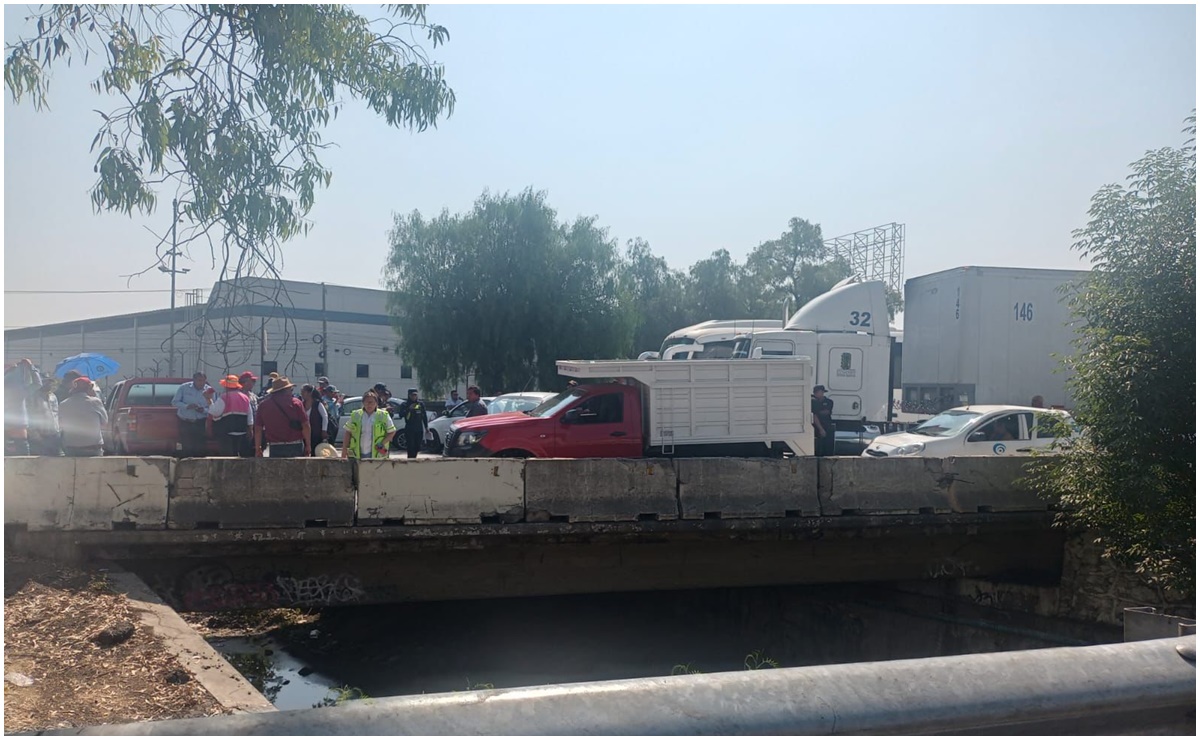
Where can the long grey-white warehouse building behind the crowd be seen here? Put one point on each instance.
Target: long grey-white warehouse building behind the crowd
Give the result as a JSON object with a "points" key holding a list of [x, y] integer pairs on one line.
{"points": [[301, 330]]}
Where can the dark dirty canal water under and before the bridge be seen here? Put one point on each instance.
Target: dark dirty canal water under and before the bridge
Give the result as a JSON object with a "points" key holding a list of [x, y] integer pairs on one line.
{"points": [[349, 653]]}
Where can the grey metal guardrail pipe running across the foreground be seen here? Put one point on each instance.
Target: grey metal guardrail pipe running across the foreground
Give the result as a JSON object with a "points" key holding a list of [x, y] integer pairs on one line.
{"points": [[1139, 687]]}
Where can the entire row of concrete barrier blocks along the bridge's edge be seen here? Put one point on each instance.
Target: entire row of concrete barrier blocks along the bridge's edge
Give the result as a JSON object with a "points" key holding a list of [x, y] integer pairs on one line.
{"points": [[231, 494]]}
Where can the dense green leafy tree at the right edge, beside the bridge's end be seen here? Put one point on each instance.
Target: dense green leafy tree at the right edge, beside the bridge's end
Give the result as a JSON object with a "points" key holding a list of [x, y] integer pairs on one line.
{"points": [[1132, 474]]}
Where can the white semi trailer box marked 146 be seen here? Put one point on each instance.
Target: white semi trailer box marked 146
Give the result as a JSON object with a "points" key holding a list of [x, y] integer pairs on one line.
{"points": [[986, 336]]}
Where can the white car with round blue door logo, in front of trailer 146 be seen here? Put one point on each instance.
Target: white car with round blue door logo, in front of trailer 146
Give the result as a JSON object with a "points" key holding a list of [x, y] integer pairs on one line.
{"points": [[976, 431]]}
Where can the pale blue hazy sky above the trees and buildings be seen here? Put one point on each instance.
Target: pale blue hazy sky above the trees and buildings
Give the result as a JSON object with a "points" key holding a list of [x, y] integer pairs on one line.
{"points": [[985, 129]]}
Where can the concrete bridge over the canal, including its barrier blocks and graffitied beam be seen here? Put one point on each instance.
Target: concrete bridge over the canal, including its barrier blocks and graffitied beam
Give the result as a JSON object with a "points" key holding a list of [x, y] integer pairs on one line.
{"points": [[227, 533]]}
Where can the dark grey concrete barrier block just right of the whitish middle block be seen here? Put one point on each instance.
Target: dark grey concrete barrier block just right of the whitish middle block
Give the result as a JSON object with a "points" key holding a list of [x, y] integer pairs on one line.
{"points": [[601, 490]]}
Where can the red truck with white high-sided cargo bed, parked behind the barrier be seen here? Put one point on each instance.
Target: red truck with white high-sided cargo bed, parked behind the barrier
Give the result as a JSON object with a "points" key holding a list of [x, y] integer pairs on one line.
{"points": [[656, 408]]}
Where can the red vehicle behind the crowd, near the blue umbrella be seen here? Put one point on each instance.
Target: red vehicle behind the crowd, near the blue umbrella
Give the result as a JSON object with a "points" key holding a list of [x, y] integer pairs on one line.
{"points": [[142, 420]]}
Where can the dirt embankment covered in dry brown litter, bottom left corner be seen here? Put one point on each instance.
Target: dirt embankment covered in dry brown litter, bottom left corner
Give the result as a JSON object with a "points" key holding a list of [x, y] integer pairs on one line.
{"points": [[76, 654]]}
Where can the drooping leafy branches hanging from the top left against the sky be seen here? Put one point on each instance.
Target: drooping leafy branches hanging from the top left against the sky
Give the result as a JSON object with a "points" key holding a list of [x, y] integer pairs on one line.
{"points": [[225, 105]]}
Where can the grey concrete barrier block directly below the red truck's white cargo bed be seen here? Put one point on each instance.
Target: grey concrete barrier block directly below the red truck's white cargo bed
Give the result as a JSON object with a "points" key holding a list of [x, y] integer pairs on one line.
{"points": [[731, 489]]}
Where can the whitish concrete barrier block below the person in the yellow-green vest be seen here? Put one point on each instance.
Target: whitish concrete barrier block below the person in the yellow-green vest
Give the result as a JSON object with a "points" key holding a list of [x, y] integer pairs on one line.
{"points": [[441, 491]]}
